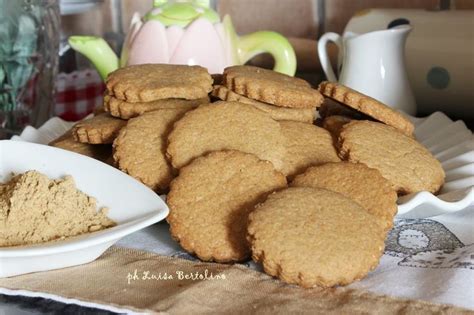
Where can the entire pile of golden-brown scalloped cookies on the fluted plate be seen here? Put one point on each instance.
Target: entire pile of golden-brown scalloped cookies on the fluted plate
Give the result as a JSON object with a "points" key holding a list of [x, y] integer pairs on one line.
{"points": [[252, 175]]}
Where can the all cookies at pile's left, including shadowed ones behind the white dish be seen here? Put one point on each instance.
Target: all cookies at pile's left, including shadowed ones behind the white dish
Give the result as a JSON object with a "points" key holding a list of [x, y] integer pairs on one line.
{"points": [[140, 106]]}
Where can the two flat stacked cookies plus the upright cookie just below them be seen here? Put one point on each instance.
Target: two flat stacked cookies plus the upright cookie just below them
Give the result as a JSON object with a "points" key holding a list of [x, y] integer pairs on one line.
{"points": [[153, 96]]}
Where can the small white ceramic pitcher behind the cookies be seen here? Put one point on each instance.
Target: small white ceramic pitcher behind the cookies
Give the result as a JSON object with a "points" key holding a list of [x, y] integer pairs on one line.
{"points": [[374, 64]]}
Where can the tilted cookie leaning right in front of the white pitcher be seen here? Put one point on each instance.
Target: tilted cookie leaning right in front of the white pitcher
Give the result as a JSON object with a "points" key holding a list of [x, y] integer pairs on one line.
{"points": [[367, 105]]}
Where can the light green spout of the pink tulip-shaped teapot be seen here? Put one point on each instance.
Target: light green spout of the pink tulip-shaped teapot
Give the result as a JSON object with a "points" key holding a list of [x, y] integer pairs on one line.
{"points": [[97, 51]]}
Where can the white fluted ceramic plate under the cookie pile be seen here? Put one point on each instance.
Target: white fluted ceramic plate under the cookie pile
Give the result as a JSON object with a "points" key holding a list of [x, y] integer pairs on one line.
{"points": [[451, 142]]}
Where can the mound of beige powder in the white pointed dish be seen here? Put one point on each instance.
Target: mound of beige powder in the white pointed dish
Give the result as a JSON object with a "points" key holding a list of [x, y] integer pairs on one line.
{"points": [[36, 209]]}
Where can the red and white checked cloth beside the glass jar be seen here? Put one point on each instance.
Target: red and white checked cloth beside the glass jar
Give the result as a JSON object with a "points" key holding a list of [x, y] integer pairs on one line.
{"points": [[78, 93]]}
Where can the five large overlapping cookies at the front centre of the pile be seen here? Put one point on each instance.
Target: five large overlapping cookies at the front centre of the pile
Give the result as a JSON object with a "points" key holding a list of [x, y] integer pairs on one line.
{"points": [[231, 197]]}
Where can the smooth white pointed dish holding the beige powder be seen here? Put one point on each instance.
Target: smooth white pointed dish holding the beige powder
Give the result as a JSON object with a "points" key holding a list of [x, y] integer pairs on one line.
{"points": [[131, 204]]}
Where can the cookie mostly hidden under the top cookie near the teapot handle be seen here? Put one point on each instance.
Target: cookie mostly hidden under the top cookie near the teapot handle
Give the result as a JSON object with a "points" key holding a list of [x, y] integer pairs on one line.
{"points": [[277, 112]]}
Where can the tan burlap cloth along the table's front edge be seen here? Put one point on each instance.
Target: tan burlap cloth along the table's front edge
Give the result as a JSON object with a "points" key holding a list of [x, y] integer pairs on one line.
{"points": [[144, 282]]}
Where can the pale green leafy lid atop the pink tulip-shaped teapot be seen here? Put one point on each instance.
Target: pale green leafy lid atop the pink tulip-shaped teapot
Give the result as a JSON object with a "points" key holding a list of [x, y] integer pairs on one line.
{"points": [[181, 12]]}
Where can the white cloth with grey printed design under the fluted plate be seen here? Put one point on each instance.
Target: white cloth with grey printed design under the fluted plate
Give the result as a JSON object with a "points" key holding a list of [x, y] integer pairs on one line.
{"points": [[425, 259]]}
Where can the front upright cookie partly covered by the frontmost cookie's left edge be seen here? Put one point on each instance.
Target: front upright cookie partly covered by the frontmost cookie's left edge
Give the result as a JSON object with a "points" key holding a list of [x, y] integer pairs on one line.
{"points": [[210, 200]]}
